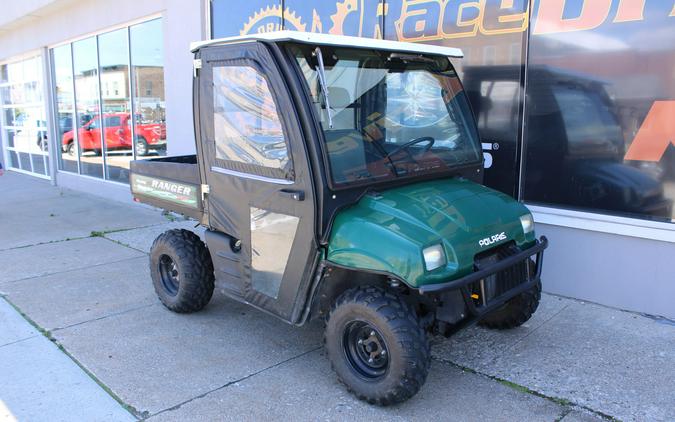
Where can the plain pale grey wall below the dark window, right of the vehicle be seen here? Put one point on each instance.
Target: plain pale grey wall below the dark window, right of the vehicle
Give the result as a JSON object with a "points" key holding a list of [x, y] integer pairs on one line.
{"points": [[625, 272]]}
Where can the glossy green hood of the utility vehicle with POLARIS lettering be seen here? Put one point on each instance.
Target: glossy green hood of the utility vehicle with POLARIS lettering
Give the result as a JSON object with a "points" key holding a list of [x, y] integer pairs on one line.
{"points": [[387, 231]]}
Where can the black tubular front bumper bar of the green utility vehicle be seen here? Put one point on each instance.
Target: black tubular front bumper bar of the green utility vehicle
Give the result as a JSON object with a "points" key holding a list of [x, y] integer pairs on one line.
{"points": [[462, 284]]}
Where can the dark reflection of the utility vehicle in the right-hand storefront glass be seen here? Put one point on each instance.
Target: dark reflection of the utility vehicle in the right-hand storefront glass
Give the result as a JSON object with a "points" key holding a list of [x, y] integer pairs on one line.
{"points": [[576, 148]]}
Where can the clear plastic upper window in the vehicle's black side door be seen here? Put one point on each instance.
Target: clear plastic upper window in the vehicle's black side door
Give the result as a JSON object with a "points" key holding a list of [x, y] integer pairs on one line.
{"points": [[247, 127]]}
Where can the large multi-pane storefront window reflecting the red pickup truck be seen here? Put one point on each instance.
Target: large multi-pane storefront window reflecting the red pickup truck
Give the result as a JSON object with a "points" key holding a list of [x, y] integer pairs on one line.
{"points": [[110, 102]]}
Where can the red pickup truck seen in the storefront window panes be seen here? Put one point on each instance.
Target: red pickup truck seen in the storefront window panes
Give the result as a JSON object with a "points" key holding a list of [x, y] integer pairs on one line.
{"points": [[117, 135]]}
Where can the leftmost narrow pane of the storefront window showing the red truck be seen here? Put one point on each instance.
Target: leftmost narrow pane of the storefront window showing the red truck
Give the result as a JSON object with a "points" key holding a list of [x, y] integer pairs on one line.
{"points": [[65, 107]]}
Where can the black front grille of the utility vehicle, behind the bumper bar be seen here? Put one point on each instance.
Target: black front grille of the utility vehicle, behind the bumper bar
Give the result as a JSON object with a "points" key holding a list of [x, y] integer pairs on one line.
{"points": [[493, 286]]}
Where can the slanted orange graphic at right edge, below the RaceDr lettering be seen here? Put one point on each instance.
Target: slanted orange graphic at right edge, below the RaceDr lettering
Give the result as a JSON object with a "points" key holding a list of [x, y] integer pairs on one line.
{"points": [[655, 134]]}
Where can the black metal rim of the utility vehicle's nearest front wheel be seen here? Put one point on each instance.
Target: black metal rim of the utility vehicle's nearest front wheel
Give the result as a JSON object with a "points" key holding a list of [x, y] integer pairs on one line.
{"points": [[365, 350]]}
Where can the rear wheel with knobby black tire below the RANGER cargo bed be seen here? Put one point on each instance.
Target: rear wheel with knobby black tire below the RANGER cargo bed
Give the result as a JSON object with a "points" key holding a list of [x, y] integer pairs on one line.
{"points": [[182, 271]]}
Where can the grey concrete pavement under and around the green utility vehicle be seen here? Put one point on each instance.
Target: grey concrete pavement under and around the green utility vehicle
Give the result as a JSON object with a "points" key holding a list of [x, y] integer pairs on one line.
{"points": [[76, 266]]}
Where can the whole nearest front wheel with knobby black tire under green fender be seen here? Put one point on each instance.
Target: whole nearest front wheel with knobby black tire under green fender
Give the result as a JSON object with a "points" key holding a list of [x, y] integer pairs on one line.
{"points": [[377, 346]]}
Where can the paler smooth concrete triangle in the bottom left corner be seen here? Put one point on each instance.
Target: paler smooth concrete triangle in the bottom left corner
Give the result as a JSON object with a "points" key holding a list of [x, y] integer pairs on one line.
{"points": [[40, 382]]}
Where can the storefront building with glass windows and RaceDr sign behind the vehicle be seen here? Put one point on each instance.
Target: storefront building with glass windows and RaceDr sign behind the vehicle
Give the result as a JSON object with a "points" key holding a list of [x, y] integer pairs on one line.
{"points": [[575, 102]]}
